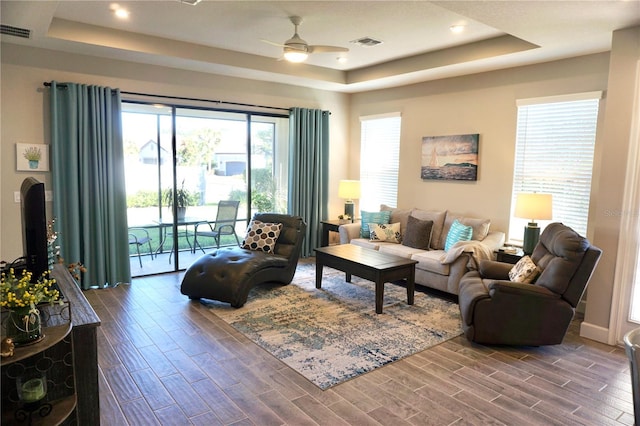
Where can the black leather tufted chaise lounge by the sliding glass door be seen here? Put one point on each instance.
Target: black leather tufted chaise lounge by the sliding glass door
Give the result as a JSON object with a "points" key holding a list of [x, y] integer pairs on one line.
{"points": [[229, 273]]}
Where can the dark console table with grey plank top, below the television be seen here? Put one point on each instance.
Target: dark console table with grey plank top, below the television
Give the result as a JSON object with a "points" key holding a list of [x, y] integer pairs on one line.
{"points": [[85, 347]]}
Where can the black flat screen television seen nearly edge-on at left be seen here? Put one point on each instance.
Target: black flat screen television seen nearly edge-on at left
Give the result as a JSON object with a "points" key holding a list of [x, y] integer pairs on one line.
{"points": [[34, 227]]}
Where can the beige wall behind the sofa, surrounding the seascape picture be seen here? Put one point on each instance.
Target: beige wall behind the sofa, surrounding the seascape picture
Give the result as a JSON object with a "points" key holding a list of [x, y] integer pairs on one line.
{"points": [[481, 103]]}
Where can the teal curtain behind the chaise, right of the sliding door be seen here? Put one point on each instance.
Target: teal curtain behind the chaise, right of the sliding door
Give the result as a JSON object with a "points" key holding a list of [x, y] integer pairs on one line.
{"points": [[309, 171]]}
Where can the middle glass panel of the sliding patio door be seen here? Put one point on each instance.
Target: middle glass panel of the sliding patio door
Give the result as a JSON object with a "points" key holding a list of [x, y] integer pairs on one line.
{"points": [[211, 166]]}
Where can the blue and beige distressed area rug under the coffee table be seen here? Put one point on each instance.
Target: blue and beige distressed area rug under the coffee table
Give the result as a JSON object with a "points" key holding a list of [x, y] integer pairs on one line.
{"points": [[334, 334]]}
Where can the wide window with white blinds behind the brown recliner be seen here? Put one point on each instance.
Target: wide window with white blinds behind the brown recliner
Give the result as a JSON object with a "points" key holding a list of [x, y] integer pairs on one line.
{"points": [[554, 154]]}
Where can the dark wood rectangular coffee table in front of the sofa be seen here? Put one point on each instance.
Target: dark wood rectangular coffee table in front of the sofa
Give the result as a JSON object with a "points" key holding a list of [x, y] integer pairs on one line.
{"points": [[368, 264]]}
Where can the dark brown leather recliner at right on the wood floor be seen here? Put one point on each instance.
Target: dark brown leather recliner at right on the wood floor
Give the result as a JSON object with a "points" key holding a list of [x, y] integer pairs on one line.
{"points": [[496, 310]]}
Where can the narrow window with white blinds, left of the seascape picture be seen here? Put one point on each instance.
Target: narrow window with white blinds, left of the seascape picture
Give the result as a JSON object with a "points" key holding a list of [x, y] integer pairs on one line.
{"points": [[379, 160]]}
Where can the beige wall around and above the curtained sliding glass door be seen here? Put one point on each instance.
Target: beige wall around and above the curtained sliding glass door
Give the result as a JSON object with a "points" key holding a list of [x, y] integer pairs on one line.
{"points": [[24, 113]]}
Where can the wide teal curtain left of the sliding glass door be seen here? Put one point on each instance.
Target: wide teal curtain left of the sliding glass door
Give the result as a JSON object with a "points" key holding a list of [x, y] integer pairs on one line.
{"points": [[90, 206]]}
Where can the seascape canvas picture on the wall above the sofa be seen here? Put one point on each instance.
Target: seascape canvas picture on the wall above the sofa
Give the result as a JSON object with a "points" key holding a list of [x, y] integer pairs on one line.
{"points": [[452, 157]]}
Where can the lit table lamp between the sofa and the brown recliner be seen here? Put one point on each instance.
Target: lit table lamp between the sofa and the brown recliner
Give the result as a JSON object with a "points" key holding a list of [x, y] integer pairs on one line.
{"points": [[533, 206]]}
